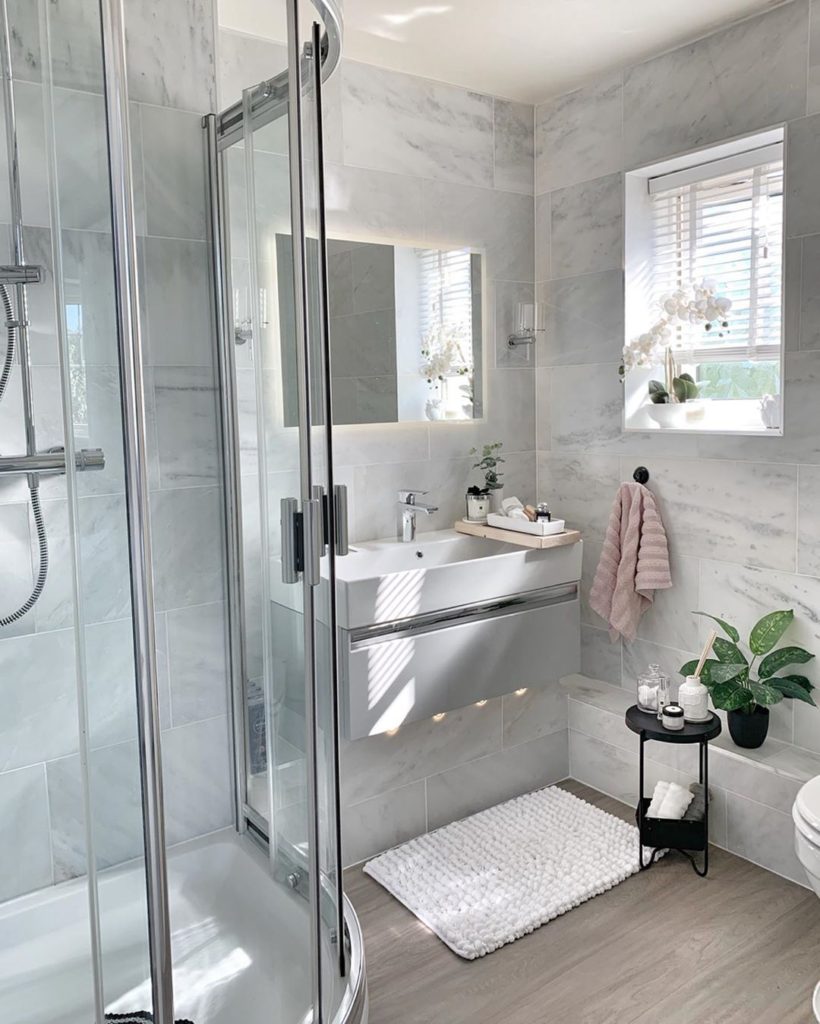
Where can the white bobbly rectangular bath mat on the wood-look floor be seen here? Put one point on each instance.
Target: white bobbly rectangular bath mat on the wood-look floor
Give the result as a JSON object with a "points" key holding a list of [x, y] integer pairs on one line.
{"points": [[490, 879]]}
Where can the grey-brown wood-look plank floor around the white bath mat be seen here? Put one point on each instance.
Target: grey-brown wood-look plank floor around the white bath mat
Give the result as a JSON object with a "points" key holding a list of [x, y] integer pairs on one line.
{"points": [[742, 947]]}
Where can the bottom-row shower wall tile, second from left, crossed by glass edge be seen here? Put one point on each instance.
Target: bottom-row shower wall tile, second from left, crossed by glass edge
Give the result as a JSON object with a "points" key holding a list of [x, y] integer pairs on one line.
{"points": [[116, 810]]}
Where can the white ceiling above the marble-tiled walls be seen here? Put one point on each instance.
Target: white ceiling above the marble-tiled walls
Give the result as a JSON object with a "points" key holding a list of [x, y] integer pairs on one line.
{"points": [[522, 50]]}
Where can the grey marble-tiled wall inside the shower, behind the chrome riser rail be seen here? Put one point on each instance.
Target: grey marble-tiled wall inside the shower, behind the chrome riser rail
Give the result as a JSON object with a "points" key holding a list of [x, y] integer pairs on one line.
{"points": [[40, 787]]}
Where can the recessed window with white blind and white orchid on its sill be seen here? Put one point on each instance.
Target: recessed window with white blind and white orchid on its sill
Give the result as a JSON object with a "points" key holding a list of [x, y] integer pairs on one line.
{"points": [[704, 347]]}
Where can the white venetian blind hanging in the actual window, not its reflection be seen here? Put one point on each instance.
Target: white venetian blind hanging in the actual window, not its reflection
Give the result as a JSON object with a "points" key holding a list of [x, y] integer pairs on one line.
{"points": [[724, 221]]}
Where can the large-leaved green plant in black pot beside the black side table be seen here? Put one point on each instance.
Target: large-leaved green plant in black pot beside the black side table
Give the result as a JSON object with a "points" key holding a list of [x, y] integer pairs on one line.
{"points": [[747, 689]]}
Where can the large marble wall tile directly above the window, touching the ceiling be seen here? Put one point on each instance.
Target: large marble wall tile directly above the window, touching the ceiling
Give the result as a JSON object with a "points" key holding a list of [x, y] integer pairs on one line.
{"points": [[713, 90]]}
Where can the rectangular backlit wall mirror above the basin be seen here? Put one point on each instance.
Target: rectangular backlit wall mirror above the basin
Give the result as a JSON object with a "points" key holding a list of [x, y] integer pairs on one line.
{"points": [[407, 333]]}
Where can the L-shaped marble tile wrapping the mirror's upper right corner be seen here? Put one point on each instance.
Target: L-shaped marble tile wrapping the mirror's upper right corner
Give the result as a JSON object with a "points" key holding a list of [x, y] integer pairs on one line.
{"points": [[499, 223]]}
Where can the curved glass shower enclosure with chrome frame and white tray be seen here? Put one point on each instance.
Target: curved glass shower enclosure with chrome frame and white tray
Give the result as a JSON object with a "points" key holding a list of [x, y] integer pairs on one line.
{"points": [[169, 786]]}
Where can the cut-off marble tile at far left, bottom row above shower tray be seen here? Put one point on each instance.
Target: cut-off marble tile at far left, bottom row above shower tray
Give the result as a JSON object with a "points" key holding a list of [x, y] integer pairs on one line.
{"points": [[26, 851]]}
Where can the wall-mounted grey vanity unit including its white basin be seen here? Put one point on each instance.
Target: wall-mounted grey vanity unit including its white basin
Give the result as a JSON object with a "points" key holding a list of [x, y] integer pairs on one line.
{"points": [[449, 621]]}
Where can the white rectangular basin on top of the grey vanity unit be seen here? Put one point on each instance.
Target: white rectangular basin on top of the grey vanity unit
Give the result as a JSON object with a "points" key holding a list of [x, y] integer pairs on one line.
{"points": [[386, 581]]}
